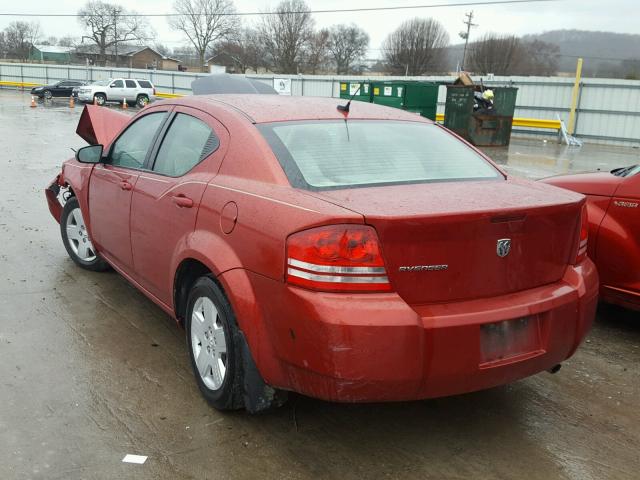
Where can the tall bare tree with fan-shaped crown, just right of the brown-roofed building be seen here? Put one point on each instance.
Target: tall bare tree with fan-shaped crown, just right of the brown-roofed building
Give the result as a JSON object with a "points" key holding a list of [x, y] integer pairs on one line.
{"points": [[205, 22]]}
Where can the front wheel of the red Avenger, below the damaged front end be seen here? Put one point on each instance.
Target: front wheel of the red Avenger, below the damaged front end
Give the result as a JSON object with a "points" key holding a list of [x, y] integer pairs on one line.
{"points": [[76, 238]]}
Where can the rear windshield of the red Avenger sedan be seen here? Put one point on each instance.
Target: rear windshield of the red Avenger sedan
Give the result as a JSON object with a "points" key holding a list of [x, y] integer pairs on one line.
{"points": [[342, 154]]}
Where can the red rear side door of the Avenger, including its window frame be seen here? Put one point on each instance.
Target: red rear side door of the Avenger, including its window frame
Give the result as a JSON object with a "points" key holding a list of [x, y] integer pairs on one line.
{"points": [[164, 208]]}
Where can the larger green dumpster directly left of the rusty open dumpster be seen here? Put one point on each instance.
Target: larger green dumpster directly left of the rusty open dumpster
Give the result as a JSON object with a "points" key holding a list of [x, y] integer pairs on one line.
{"points": [[414, 96]]}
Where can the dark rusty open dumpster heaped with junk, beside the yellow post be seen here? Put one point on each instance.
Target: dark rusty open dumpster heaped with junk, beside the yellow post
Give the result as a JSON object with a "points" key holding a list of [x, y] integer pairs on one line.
{"points": [[486, 128]]}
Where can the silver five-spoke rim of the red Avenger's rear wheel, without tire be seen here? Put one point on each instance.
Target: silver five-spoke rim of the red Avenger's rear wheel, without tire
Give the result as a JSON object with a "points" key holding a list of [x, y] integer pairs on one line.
{"points": [[208, 343]]}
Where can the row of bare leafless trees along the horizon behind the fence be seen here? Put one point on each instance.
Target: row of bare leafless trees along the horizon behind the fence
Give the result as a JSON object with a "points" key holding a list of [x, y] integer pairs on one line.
{"points": [[286, 40]]}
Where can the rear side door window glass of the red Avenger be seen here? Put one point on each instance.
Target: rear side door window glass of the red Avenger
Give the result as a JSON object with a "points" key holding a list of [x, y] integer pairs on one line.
{"points": [[187, 142]]}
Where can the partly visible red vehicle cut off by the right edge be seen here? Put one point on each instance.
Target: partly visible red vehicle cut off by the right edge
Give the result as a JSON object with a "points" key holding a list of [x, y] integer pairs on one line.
{"points": [[613, 203]]}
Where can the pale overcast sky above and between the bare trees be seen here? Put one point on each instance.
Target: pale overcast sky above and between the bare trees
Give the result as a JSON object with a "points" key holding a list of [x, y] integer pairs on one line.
{"points": [[611, 15]]}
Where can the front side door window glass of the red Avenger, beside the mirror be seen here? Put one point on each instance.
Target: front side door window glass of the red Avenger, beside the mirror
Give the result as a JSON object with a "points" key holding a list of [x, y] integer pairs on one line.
{"points": [[130, 150]]}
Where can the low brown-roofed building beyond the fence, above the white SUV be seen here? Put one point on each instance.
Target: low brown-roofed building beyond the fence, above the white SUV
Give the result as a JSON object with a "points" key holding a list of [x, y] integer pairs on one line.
{"points": [[129, 56]]}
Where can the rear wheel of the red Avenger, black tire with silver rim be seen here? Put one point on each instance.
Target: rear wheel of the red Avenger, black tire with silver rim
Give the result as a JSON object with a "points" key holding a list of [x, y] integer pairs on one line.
{"points": [[214, 345]]}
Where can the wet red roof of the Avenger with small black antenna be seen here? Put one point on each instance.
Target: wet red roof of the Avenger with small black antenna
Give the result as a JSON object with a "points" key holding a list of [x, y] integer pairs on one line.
{"points": [[279, 108]]}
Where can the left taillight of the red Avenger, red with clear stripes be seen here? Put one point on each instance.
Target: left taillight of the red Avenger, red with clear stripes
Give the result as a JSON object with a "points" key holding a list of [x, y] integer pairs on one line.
{"points": [[338, 258]]}
